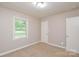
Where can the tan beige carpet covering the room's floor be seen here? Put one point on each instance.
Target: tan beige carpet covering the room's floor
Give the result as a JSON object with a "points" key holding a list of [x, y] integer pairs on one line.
{"points": [[42, 50]]}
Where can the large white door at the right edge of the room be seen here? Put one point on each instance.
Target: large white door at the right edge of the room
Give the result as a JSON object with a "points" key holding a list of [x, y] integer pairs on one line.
{"points": [[72, 34]]}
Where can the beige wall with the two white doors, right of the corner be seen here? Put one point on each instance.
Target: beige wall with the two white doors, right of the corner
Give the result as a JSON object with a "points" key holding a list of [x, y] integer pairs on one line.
{"points": [[57, 27]]}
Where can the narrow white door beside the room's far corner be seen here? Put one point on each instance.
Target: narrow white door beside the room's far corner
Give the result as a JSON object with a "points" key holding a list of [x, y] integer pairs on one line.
{"points": [[44, 31]]}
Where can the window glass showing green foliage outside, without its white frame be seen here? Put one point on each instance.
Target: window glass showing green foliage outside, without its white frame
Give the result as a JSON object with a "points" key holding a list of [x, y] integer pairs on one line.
{"points": [[20, 28]]}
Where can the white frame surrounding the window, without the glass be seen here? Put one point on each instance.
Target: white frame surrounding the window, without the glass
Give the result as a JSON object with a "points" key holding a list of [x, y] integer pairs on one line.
{"points": [[14, 18]]}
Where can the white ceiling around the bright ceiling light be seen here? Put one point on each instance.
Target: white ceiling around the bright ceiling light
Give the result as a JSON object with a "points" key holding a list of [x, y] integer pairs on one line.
{"points": [[50, 9]]}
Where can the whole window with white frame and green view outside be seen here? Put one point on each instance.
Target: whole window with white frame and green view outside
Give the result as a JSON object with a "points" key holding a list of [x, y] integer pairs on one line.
{"points": [[20, 28]]}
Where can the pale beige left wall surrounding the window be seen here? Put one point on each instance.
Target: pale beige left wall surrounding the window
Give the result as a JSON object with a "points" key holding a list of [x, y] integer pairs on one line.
{"points": [[6, 30]]}
